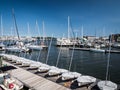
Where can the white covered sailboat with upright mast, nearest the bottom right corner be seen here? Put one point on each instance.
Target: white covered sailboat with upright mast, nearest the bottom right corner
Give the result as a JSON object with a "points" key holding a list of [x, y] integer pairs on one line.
{"points": [[106, 84]]}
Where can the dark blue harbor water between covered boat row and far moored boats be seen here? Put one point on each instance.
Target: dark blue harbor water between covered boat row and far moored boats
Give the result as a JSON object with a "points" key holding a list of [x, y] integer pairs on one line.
{"points": [[84, 62]]}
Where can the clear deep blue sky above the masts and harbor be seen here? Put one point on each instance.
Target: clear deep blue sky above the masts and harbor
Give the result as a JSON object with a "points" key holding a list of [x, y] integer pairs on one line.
{"points": [[96, 17]]}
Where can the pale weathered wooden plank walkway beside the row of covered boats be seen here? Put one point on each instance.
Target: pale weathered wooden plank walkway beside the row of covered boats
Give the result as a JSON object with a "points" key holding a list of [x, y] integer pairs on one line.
{"points": [[33, 81]]}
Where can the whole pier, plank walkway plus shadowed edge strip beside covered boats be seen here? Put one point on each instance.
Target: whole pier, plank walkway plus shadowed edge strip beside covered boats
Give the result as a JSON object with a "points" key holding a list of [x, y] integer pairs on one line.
{"points": [[38, 81]]}
